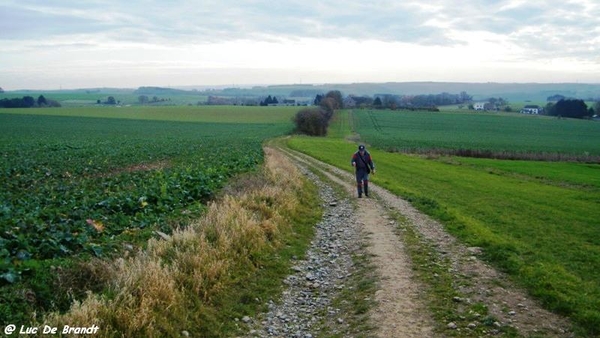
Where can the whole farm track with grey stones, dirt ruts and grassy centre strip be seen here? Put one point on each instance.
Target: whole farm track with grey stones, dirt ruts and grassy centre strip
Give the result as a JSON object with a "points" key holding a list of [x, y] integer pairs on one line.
{"points": [[425, 283]]}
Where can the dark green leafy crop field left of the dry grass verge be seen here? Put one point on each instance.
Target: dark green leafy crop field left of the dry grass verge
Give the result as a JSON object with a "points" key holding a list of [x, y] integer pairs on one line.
{"points": [[88, 182]]}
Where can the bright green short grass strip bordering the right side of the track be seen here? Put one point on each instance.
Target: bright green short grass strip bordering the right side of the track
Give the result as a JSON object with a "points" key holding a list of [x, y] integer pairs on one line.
{"points": [[544, 235]]}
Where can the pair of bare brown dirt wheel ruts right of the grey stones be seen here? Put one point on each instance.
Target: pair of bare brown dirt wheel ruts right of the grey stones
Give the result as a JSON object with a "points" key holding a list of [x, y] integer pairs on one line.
{"points": [[398, 297]]}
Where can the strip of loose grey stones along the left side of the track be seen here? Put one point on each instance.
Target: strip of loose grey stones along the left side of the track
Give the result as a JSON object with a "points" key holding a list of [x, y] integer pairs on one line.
{"points": [[310, 289]]}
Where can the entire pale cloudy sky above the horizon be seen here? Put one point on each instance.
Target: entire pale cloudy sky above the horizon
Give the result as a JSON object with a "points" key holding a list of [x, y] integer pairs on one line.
{"points": [[51, 44]]}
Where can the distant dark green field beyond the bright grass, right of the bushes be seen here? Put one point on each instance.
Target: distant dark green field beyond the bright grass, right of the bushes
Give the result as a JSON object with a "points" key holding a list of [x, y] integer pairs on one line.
{"points": [[490, 134]]}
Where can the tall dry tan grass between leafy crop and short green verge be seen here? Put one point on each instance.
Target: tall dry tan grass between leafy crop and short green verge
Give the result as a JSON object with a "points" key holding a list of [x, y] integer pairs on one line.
{"points": [[152, 293]]}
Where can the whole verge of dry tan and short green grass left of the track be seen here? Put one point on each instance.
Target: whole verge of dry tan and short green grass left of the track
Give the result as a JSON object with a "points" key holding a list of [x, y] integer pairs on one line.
{"points": [[200, 279]]}
